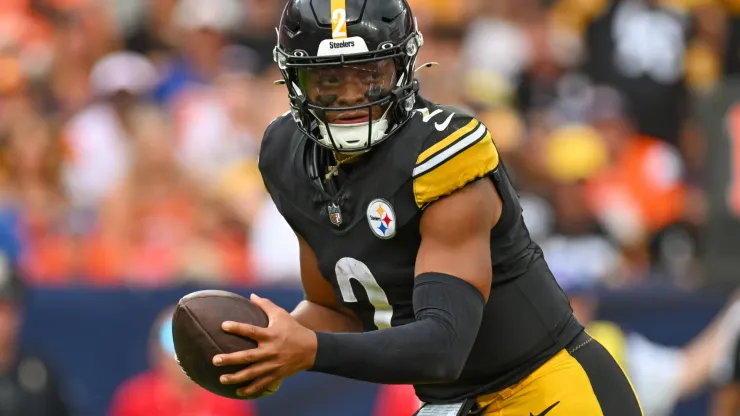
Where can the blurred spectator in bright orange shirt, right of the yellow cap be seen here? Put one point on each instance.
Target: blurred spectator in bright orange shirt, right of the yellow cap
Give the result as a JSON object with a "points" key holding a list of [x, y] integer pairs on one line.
{"points": [[641, 191]]}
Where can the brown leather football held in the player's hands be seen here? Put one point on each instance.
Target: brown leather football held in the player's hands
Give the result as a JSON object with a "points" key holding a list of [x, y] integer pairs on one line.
{"points": [[196, 329]]}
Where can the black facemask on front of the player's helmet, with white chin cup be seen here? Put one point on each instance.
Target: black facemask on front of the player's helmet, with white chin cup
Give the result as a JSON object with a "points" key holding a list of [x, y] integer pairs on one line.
{"points": [[354, 101]]}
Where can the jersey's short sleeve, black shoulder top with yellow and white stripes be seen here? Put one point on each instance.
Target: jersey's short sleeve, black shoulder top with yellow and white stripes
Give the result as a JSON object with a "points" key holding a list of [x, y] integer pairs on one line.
{"points": [[458, 155]]}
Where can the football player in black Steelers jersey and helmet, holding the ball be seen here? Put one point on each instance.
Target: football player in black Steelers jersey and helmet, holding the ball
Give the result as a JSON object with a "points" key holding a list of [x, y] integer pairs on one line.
{"points": [[416, 264]]}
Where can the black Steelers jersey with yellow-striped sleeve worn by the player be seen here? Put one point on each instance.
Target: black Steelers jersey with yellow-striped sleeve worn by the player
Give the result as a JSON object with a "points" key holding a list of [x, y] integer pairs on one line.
{"points": [[366, 237]]}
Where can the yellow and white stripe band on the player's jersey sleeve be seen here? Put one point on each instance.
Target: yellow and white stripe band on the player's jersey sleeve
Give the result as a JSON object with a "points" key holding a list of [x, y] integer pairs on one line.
{"points": [[471, 158]]}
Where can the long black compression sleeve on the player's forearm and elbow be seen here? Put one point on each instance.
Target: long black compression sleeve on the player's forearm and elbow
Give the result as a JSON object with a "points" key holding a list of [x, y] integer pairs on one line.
{"points": [[431, 350]]}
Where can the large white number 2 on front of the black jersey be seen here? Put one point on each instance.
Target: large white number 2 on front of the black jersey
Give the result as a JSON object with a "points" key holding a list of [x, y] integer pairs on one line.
{"points": [[348, 269]]}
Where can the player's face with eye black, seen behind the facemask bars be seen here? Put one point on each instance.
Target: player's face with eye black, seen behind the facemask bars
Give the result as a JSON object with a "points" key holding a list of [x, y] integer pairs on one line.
{"points": [[349, 86]]}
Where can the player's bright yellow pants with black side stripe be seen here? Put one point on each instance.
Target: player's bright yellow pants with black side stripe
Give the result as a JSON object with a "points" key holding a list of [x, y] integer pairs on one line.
{"points": [[583, 380]]}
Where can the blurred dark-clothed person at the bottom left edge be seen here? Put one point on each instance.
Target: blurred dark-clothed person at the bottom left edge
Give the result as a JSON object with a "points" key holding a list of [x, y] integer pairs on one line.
{"points": [[28, 385]]}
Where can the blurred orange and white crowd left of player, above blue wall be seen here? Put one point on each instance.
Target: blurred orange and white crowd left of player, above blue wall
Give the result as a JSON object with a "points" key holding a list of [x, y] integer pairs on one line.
{"points": [[130, 131]]}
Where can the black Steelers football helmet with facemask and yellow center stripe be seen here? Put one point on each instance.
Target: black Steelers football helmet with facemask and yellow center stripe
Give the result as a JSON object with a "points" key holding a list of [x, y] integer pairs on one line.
{"points": [[365, 37]]}
